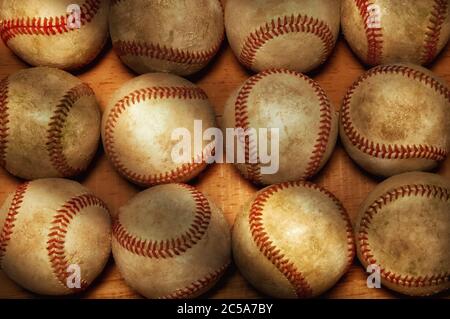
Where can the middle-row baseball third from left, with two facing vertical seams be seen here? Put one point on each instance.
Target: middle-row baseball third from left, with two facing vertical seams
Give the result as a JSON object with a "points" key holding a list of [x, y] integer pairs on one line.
{"points": [[299, 108]]}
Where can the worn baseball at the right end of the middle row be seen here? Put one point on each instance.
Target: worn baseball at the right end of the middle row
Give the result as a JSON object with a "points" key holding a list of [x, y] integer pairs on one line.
{"points": [[396, 118]]}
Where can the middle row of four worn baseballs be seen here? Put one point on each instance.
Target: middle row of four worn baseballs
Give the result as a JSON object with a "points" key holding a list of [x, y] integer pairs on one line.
{"points": [[394, 119]]}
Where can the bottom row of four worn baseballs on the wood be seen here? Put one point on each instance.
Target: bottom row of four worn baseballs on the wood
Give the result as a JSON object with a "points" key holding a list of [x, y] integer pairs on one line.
{"points": [[292, 240]]}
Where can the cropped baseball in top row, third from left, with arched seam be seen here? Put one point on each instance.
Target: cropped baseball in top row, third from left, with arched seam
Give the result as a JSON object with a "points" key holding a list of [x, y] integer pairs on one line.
{"points": [[294, 34]]}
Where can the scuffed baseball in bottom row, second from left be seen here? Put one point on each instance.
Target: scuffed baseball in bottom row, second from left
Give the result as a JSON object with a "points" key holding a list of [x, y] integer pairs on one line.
{"points": [[170, 241]]}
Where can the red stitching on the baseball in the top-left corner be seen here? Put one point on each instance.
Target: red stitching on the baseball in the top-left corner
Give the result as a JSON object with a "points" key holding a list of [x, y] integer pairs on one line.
{"points": [[11, 28]]}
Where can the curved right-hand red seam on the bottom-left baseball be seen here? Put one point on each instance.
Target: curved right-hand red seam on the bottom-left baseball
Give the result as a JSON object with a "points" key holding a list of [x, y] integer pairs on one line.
{"points": [[58, 231]]}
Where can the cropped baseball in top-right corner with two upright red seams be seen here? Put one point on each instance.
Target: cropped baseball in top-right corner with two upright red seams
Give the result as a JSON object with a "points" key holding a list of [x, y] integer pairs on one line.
{"points": [[385, 31]]}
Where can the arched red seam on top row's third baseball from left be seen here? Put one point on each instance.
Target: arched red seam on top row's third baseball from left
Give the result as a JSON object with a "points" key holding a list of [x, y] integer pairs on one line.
{"points": [[282, 26]]}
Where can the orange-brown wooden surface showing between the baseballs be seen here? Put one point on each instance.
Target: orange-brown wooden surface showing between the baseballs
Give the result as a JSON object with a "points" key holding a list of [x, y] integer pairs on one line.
{"points": [[221, 181]]}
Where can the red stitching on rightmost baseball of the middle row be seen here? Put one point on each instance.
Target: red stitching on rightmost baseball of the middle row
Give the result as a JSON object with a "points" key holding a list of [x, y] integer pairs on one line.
{"points": [[392, 151]]}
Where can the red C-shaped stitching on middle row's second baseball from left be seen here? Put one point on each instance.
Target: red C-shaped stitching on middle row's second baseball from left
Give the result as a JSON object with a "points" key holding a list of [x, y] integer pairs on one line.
{"points": [[141, 95]]}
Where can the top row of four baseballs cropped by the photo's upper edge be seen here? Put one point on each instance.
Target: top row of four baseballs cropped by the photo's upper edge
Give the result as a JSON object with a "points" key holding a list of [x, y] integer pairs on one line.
{"points": [[182, 37]]}
